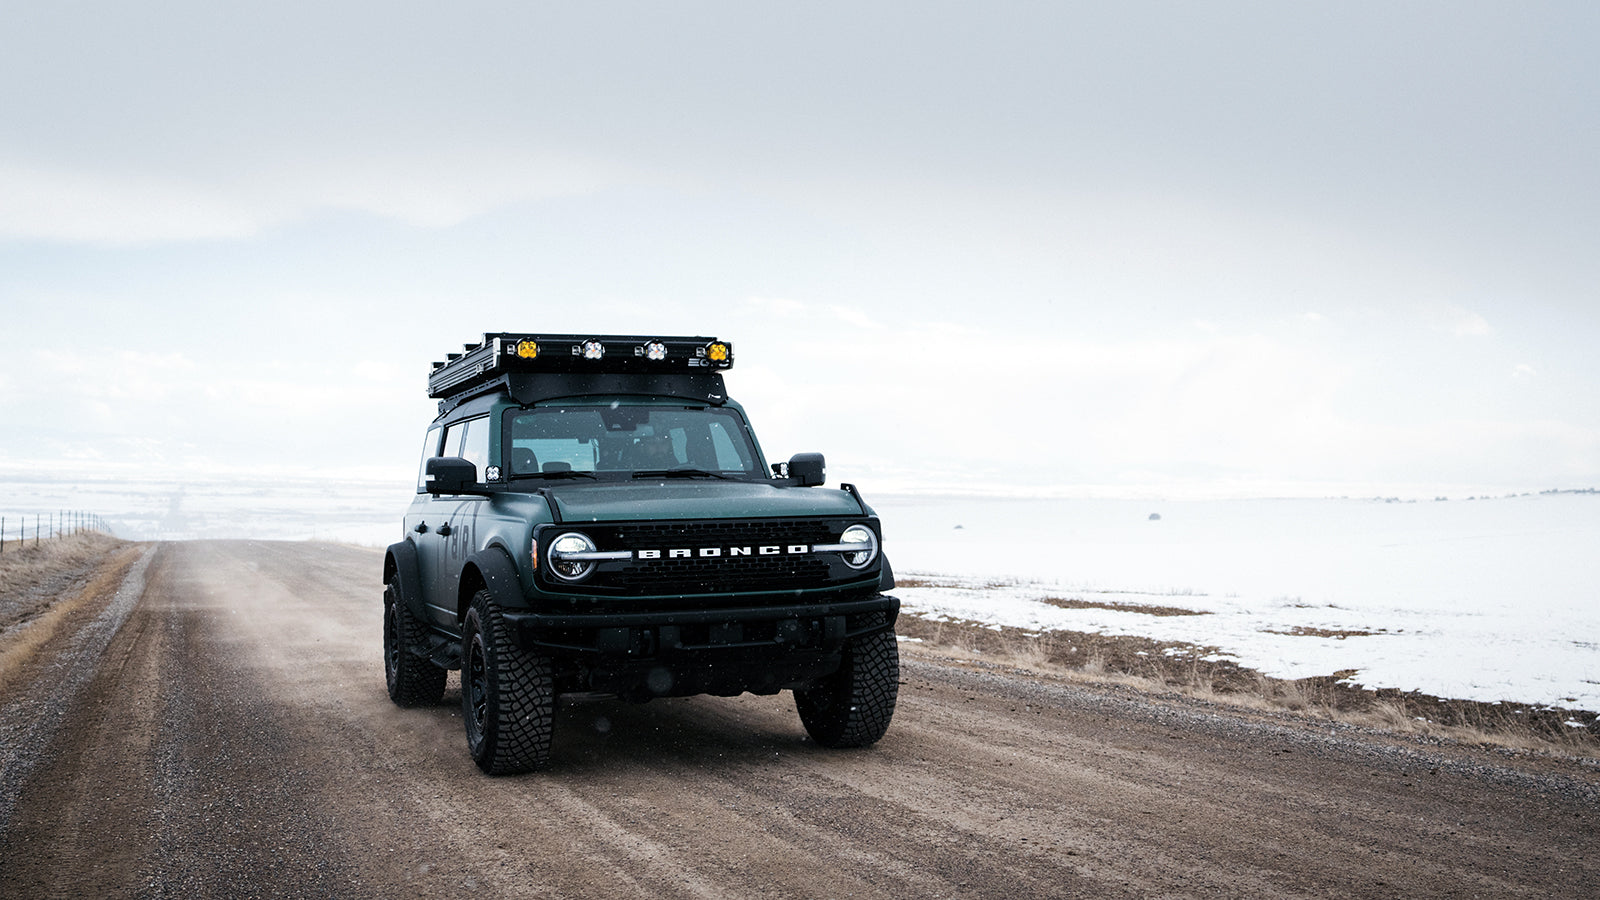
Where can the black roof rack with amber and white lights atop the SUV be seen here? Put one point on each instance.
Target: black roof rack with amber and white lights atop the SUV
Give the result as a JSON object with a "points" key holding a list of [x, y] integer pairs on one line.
{"points": [[535, 368]]}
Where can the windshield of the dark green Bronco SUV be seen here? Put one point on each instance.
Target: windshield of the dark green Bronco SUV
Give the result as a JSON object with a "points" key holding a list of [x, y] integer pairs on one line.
{"points": [[623, 441]]}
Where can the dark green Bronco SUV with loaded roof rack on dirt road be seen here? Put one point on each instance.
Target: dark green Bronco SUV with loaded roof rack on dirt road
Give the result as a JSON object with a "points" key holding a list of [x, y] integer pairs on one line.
{"points": [[594, 516]]}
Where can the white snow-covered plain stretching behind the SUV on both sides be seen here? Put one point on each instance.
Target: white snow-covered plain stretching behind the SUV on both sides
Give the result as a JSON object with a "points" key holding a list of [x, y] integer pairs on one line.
{"points": [[1474, 600]]}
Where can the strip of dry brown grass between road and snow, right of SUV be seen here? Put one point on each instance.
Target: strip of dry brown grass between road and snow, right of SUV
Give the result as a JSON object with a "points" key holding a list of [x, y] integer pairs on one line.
{"points": [[1194, 672]]}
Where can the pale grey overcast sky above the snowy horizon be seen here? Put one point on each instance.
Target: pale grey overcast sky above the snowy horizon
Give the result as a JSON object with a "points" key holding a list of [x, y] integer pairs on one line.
{"points": [[1047, 247]]}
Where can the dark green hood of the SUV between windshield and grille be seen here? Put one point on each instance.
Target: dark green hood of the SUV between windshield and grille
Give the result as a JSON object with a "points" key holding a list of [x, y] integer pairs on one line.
{"points": [[682, 499]]}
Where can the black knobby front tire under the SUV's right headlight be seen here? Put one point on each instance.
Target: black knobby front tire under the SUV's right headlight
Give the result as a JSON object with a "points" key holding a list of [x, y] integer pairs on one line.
{"points": [[854, 707]]}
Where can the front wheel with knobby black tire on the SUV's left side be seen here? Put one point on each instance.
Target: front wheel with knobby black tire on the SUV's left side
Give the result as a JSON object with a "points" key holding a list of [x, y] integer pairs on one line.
{"points": [[508, 696]]}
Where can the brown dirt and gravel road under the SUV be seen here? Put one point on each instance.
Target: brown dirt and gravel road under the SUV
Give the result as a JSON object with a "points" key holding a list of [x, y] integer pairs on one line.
{"points": [[226, 734]]}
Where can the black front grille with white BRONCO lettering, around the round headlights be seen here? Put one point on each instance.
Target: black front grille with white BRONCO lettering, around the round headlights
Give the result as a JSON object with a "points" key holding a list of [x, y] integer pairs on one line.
{"points": [[719, 574]]}
